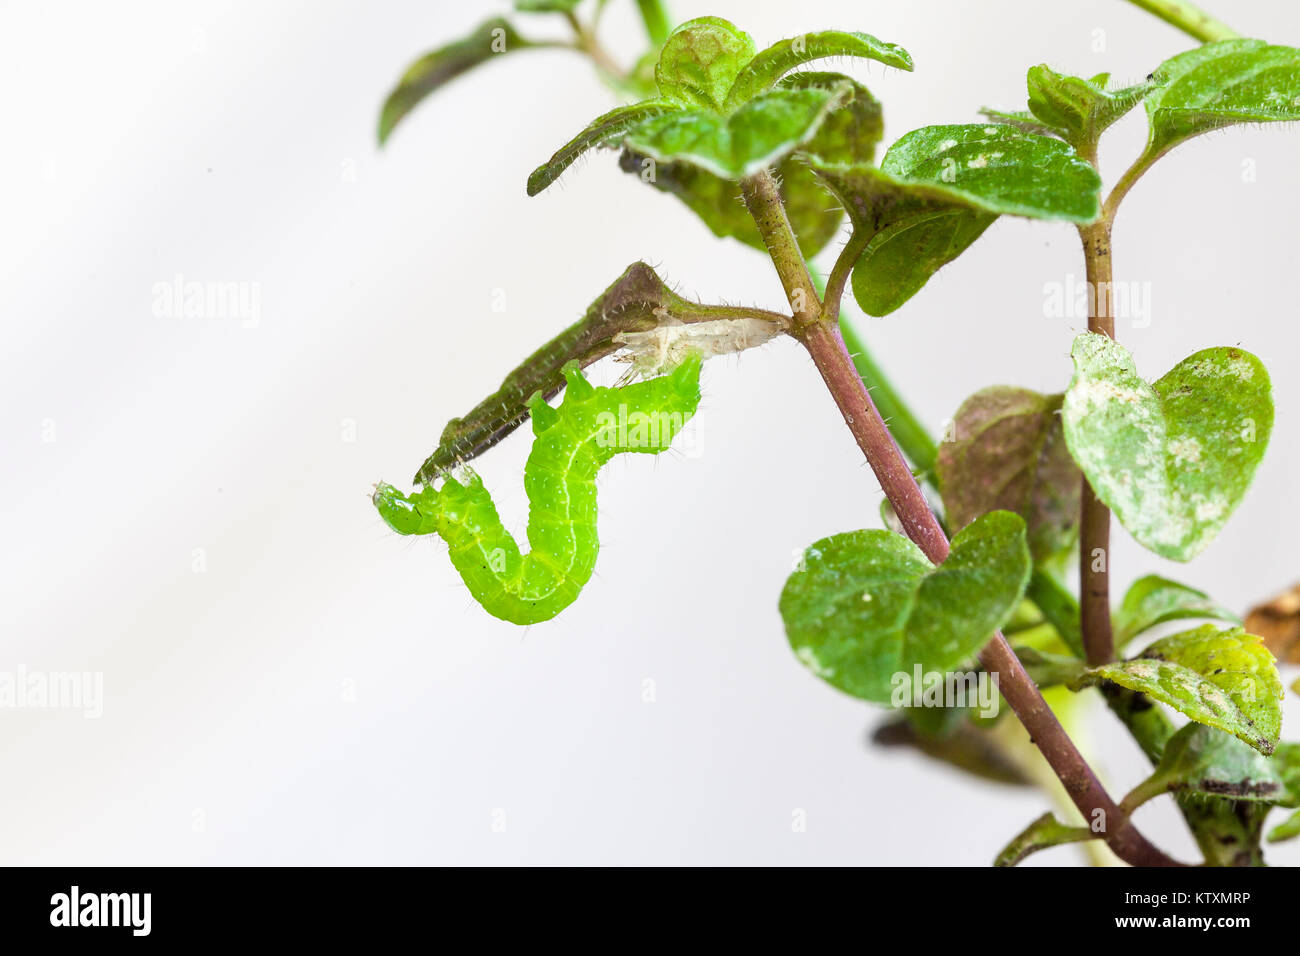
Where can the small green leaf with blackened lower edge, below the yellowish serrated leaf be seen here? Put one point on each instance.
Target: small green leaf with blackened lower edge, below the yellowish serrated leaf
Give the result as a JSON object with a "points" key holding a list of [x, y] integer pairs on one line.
{"points": [[1207, 762]]}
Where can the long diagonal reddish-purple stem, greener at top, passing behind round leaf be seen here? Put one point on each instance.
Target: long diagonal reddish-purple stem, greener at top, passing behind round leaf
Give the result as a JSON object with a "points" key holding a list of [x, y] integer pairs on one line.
{"points": [[821, 336]]}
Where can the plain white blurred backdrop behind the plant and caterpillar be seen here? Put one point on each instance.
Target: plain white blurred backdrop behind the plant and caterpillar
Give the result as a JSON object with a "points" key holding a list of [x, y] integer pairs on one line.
{"points": [[327, 691]]}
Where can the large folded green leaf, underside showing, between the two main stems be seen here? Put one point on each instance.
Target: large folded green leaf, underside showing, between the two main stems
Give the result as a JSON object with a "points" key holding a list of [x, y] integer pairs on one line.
{"points": [[939, 188]]}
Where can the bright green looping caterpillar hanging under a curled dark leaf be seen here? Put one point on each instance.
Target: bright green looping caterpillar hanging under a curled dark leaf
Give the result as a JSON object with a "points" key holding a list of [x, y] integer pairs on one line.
{"points": [[571, 443]]}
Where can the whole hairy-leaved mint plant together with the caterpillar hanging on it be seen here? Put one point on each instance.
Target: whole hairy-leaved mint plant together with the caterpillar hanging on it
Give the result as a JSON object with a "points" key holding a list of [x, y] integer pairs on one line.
{"points": [[781, 158]]}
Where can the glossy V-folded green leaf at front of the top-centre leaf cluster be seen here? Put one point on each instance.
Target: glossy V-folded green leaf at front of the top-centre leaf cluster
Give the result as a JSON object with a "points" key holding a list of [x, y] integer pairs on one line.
{"points": [[757, 136]]}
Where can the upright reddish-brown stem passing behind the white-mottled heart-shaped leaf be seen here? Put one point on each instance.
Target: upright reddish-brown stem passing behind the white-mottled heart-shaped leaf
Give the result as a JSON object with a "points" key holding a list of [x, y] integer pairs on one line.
{"points": [[1095, 518]]}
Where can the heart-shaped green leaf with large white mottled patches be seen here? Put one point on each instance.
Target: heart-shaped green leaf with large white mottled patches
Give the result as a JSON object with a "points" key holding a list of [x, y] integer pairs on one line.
{"points": [[1171, 460]]}
